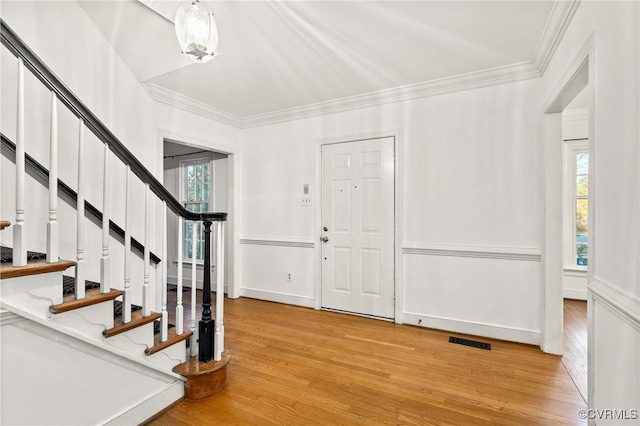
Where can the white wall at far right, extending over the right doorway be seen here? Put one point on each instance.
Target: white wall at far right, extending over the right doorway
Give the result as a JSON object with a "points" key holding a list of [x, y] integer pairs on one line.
{"points": [[614, 280]]}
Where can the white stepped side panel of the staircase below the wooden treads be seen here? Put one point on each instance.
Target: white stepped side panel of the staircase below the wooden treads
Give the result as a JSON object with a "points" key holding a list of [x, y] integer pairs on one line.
{"points": [[78, 333]]}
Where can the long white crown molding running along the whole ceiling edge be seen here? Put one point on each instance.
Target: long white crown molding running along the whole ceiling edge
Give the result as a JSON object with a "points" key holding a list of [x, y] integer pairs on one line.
{"points": [[559, 18]]}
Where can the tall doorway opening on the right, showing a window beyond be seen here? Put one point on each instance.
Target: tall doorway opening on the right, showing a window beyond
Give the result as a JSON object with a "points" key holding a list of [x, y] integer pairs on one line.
{"points": [[570, 254]]}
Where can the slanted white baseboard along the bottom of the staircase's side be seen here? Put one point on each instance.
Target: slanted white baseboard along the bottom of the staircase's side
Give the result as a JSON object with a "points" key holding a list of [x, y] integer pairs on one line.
{"points": [[144, 410]]}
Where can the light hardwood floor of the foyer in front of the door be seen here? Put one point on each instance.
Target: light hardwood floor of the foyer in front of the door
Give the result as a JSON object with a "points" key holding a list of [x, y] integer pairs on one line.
{"points": [[298, 366]]}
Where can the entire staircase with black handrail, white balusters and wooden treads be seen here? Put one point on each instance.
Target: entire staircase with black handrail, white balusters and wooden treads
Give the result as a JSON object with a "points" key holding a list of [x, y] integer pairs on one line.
{"points": [[87, 340]]}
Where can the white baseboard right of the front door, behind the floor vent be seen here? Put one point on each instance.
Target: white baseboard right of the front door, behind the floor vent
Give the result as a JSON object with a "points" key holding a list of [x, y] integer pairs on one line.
{"points": [[476, 329]]}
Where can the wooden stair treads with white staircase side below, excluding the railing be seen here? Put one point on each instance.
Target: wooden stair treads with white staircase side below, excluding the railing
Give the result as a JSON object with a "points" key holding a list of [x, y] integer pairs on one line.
{"points": [[59, 350]]}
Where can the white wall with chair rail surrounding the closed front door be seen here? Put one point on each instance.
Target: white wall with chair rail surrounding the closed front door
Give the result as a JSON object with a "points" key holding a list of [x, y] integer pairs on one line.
{"points": [[471, 220]]}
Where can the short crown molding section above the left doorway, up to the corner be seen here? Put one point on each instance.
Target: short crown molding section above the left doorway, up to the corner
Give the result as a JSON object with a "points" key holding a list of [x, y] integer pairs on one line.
{"points": [[178, 100]]}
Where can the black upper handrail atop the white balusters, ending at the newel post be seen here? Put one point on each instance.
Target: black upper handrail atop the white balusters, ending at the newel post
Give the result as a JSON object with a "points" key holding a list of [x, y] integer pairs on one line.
{"points": [[31, 61]]}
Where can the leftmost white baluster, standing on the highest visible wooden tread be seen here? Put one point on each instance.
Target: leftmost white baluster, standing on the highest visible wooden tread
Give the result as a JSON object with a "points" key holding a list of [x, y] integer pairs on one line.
{"points": [[19, 229]]}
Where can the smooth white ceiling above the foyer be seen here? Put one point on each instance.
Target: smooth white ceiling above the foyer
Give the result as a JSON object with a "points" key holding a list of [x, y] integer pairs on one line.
{"points": [[283, 55]]}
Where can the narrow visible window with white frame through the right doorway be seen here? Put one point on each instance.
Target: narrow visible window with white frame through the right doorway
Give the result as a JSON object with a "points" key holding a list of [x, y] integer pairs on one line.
{"points": [[577, 204]]}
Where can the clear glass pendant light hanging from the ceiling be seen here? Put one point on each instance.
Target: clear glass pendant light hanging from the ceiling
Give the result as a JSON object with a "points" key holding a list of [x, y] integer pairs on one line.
{"points": [[197, 32]]}
